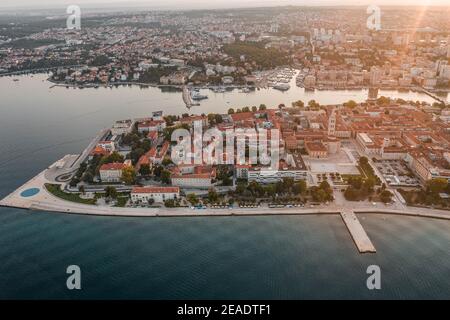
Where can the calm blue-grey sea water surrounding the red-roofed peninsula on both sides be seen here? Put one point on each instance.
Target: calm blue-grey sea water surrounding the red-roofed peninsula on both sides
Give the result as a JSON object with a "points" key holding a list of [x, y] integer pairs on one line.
{"points": [[188, 258]]}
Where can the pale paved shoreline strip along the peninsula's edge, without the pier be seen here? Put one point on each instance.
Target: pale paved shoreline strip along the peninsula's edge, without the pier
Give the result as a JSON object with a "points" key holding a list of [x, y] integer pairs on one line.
{"points": [[45, 201]]}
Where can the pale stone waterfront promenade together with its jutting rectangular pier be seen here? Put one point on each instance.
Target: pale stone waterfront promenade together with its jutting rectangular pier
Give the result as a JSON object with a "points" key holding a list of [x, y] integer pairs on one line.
{"points": [[34, 196]]}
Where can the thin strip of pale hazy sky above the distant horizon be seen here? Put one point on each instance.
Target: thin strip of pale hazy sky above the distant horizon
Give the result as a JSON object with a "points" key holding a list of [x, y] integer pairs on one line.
{"points": [[195, 4]]}
